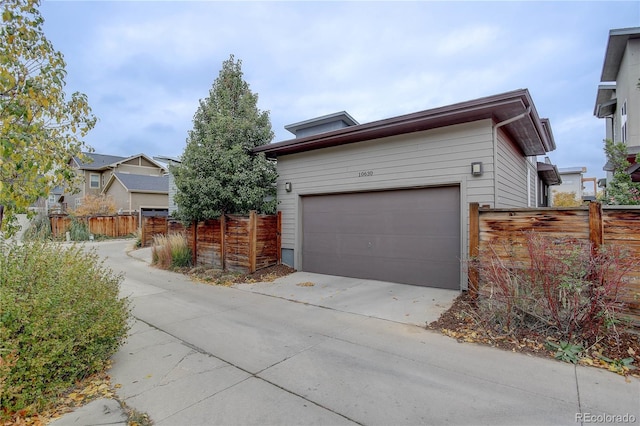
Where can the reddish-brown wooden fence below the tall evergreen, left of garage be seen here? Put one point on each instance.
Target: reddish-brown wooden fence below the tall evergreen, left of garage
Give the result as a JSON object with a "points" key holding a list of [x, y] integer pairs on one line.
{"points": [[235, 243]]}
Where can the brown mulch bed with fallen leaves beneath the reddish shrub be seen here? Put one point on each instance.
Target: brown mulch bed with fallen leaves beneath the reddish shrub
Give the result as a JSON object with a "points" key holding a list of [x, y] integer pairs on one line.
{"points": [[459, 323]]}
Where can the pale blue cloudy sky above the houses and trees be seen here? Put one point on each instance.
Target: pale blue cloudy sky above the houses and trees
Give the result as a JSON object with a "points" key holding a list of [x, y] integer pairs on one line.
{"points": [[145, 65]]}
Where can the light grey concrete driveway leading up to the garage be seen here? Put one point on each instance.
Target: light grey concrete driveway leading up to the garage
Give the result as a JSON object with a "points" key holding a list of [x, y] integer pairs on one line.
{"points": [[207, 355]]}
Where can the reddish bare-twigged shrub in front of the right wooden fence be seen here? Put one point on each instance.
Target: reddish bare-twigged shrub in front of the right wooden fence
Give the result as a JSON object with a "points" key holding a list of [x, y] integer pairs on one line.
{"points": [[561, 287]]}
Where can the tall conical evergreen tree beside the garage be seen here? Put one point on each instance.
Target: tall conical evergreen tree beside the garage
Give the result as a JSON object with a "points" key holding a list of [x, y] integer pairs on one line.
{"points": [[219, 174]]}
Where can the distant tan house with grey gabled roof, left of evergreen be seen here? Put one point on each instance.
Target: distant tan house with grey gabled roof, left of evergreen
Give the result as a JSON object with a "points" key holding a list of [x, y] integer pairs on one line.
{"points": [[136, 183]]}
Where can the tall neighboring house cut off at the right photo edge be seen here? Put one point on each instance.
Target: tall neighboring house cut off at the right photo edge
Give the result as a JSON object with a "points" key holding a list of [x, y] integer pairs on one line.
{"points": [[618, 97]]}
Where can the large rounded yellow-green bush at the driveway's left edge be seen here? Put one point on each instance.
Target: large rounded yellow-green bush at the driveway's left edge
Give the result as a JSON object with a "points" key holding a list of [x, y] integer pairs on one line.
{"points": [[61, 318]]}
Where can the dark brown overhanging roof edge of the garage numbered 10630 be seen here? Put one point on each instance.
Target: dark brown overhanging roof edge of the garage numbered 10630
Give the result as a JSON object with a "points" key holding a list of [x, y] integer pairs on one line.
{"points": [[531, 133]]}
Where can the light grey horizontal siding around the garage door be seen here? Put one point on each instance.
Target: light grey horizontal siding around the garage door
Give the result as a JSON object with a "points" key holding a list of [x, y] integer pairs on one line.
{"points": [[435, 157]]}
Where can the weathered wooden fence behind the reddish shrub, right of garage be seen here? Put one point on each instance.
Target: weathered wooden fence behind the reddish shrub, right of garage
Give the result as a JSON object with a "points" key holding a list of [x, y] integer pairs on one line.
{"points": [[507, 228]]}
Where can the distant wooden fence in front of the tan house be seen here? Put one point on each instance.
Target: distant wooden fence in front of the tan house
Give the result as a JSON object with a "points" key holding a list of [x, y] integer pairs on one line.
{"points": [[110, 226]]}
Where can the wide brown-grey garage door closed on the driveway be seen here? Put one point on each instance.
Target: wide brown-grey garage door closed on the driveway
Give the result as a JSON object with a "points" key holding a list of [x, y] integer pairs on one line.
{"points": [[408, 236]]}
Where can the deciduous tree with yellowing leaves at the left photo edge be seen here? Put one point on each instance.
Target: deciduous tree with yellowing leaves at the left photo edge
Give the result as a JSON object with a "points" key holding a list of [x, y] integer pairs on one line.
{"points": [[40, 128]]}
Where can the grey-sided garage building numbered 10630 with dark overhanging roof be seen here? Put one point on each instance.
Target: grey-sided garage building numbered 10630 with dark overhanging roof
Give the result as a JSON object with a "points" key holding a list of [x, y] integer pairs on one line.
{"points": [[389, 200]]}
